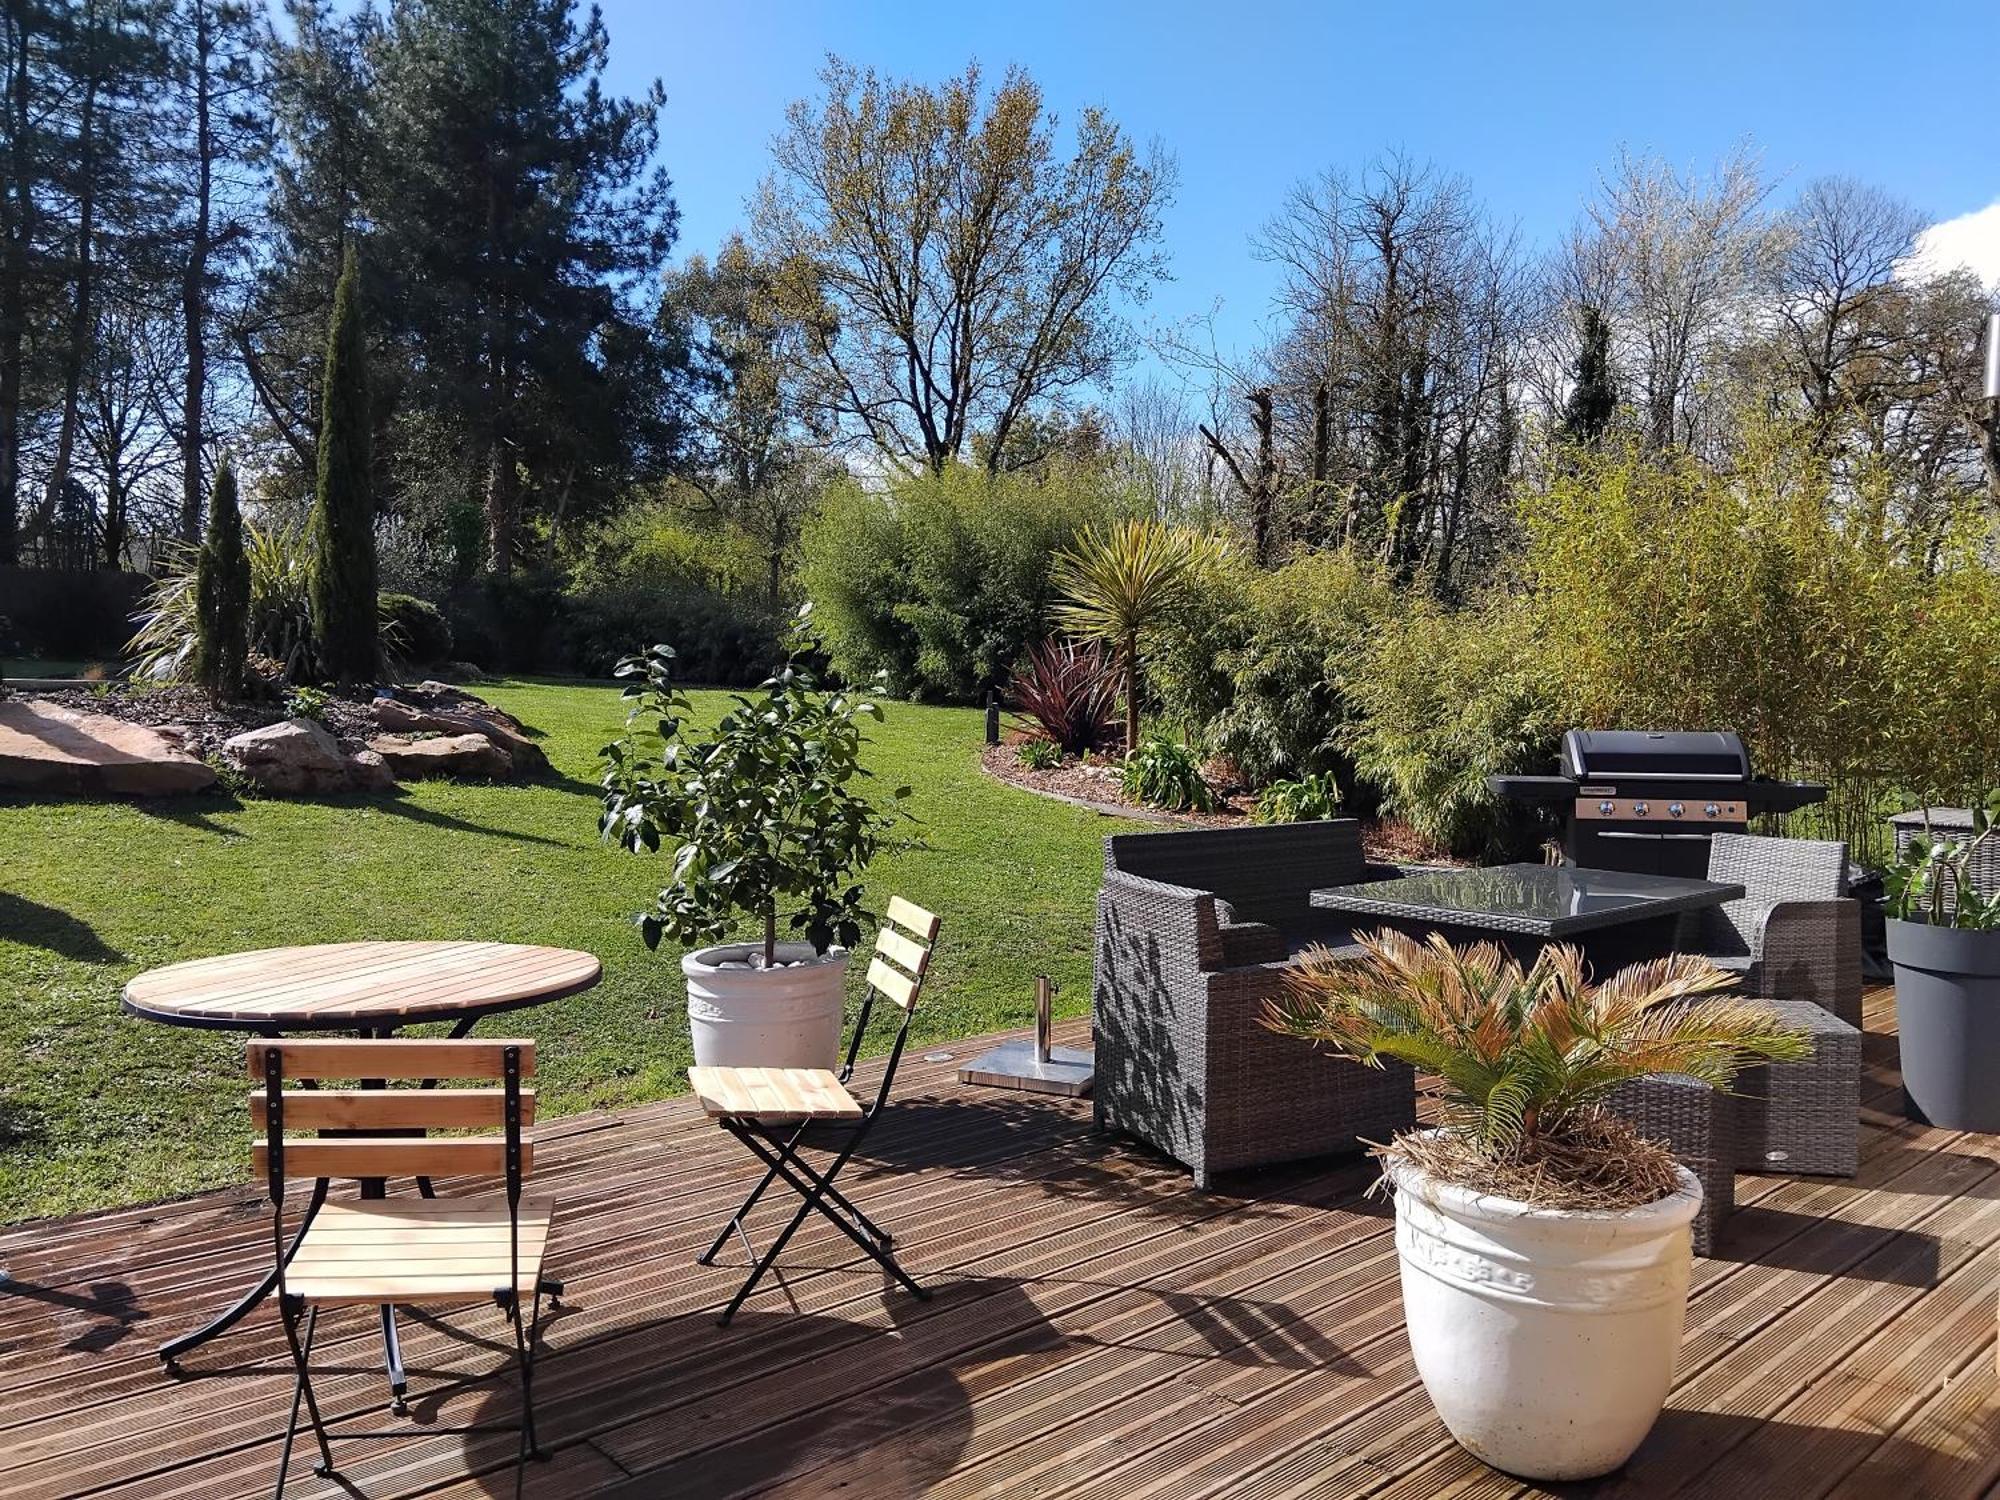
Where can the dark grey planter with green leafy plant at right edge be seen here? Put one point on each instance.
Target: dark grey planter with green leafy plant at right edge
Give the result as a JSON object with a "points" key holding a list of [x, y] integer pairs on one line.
{"points": [[1945, 945]]}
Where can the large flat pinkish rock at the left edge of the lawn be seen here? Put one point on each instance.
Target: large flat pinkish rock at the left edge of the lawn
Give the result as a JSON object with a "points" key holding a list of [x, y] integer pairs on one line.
{"points": [[53, 749]]}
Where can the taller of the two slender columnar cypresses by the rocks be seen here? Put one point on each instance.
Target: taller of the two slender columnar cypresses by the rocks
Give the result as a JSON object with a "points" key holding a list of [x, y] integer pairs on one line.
{"points": [[341, 543]]}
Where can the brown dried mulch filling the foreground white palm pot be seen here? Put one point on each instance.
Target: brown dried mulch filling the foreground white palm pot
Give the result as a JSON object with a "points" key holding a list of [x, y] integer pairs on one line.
{"points": [[1593, 1163]]}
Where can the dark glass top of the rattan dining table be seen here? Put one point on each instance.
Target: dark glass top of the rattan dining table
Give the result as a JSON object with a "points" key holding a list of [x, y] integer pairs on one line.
{"points": [[1551, 899]]}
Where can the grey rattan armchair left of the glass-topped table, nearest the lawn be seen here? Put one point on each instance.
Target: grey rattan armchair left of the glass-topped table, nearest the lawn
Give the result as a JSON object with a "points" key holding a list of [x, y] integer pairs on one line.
{"points": [[1195, 931]]}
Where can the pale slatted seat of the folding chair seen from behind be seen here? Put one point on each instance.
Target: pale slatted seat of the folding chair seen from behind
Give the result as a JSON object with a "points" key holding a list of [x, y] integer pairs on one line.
{"points": [[417, 1251]]}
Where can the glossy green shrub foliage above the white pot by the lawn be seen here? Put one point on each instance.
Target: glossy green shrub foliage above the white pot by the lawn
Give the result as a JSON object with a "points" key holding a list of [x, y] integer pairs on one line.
{"points": [[767, 811]]}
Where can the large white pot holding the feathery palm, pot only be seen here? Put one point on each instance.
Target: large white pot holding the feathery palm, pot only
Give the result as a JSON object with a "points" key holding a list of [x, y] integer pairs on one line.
{"points": [[1545, 1337]]}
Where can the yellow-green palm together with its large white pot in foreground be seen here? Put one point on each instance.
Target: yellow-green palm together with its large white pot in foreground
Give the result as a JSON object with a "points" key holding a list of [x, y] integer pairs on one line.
{"points": [[1545, 1247]]}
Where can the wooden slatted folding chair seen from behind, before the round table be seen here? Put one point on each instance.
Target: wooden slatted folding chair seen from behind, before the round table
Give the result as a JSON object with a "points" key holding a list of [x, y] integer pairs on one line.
{"points": [[421, 1251]]}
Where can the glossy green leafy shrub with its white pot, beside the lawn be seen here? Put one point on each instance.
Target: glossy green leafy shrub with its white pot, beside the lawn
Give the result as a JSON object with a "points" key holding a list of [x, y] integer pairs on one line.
{"points": [[769, 825]]}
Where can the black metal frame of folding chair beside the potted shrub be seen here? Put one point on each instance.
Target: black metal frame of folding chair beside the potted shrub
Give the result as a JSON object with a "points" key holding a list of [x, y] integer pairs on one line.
{"points": [[781, 1153]]}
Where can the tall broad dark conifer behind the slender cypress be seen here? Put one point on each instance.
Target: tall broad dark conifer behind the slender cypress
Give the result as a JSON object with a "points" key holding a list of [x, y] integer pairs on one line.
{"points": [[521, 215]]}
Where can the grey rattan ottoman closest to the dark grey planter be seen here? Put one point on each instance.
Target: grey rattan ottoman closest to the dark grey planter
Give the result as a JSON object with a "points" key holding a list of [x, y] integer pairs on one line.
{"points": [[1803, 1117]]}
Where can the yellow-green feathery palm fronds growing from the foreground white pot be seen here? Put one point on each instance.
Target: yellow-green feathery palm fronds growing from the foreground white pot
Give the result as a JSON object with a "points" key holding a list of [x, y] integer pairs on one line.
{"points": [[1525, 1053]]}
